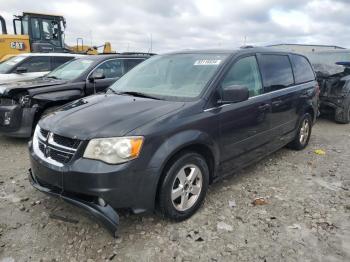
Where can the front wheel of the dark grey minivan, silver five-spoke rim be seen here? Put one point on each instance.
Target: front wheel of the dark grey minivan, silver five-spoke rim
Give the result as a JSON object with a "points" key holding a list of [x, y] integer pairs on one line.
{"points": [[178, 186]]}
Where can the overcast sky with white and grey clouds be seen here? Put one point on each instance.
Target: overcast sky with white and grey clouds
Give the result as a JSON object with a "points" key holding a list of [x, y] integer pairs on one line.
{"points": [[181, 24]]}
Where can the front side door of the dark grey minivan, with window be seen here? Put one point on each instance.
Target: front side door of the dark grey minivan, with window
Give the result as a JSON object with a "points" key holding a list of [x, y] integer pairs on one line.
{"points": [[244, 126]]}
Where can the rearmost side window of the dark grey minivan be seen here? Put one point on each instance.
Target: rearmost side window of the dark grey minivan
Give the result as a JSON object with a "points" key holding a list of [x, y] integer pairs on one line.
{"points": [[302, 69]]}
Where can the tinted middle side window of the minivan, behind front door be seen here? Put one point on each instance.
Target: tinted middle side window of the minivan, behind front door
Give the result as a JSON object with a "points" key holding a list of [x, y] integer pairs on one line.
{"points": [[276, 71]]}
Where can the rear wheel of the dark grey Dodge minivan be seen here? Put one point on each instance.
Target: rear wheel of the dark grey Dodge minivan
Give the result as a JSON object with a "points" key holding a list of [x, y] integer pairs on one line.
{"points": [[304, 133]]}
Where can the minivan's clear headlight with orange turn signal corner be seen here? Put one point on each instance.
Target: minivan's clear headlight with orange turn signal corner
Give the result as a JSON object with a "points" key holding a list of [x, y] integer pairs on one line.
{"points": [[114, 150]]}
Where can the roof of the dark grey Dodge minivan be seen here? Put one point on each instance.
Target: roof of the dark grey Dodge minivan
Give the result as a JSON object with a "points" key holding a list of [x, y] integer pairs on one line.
{"points": [[234, 51]]}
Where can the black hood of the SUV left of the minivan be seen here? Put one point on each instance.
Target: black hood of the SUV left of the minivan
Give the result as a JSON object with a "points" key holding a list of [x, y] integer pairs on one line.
{"points": [[5, 88]]}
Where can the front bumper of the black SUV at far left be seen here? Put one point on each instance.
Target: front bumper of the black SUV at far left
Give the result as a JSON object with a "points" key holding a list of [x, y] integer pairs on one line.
{"points": [[19, 120]]}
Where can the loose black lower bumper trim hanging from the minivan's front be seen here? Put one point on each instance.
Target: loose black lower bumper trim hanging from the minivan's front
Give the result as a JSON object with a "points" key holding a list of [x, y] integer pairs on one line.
{"points": [[105, 214]]}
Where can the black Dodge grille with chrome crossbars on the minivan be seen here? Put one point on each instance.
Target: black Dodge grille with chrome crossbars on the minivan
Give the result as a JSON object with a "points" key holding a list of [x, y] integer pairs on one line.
{"points": [[55, 147]]}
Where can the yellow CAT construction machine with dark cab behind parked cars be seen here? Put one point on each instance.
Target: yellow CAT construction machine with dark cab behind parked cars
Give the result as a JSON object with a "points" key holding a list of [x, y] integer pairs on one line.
{"points": [[39, 33]]}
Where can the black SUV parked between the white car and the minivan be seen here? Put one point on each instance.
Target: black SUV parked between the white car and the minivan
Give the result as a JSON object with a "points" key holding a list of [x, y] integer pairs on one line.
{"points": [[23, 103]]}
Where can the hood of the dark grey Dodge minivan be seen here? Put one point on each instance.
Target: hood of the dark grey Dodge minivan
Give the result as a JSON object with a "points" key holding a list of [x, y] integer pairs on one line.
{"points": [[105, 116]]}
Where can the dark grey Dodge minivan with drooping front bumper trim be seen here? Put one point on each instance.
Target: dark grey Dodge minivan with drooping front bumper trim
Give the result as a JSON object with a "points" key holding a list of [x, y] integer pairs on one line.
{"points": [[170, 127]]}
